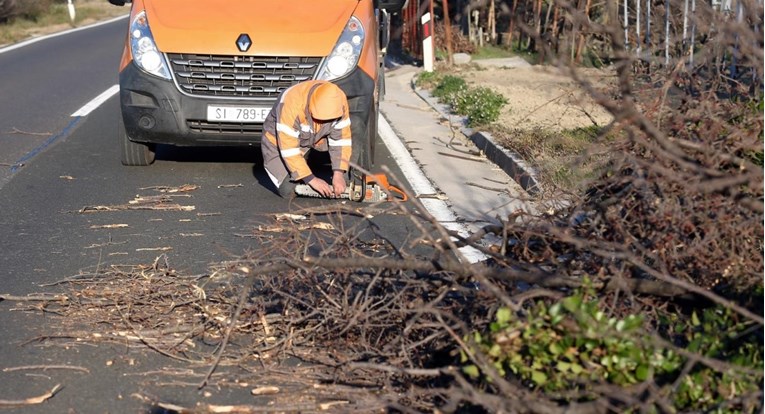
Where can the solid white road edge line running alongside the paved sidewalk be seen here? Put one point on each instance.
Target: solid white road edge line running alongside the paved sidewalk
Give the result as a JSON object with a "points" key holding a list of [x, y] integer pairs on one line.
{"points": [[421, 185]]}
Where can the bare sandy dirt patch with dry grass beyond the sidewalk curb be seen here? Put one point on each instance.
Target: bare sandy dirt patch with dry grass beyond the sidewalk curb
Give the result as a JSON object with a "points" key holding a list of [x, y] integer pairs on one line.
{"points": [[550, 120]]}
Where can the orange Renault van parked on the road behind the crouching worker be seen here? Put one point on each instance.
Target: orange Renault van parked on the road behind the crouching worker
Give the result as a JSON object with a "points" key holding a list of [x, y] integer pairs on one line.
{"points": [[206, 72]]}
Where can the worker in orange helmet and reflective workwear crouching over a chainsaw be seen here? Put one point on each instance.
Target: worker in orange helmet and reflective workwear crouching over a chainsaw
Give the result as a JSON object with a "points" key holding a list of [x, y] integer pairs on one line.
{"points": [[309, 115]]}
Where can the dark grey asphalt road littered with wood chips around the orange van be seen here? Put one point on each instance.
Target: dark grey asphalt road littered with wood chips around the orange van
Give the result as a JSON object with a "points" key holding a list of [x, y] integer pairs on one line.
{"points": [[54, 165]]}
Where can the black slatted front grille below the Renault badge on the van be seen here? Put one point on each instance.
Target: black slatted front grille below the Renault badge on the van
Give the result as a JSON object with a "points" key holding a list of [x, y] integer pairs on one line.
{"points": [[257, 77]]}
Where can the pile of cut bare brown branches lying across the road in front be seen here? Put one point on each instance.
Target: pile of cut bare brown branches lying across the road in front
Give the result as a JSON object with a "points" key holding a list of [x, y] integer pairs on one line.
{"points": [[381, 324]]}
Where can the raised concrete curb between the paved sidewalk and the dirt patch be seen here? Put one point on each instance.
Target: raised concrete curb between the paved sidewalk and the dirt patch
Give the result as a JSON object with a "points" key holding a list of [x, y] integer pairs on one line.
{"points": [[510, 162]]}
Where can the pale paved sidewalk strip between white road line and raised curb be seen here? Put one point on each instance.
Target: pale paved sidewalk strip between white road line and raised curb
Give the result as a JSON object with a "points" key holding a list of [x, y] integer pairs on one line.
{"points": [[476, 190]]}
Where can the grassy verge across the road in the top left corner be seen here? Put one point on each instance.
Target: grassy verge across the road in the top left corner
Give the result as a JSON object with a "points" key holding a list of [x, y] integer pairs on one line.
{"points": [[22, 19]]}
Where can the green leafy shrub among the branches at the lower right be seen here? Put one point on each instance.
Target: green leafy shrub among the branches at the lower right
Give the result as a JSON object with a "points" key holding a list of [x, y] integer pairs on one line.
{"points": [[572, 344]]}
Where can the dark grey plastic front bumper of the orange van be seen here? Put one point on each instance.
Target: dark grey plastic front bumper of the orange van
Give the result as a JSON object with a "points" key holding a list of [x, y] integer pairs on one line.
{"points": [[156, 112]]}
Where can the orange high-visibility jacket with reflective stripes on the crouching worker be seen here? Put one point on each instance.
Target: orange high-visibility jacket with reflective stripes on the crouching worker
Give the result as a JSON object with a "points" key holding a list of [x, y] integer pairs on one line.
{"points": [[292, 131]]}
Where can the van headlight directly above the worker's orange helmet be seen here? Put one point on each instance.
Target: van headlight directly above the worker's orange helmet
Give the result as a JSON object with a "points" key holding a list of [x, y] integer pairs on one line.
{"points": [[346, 53]]}
